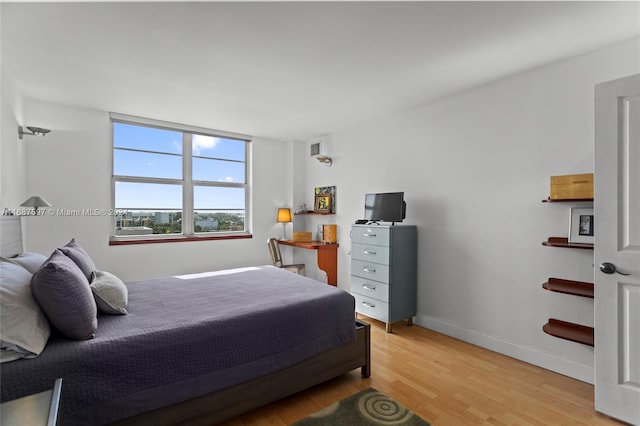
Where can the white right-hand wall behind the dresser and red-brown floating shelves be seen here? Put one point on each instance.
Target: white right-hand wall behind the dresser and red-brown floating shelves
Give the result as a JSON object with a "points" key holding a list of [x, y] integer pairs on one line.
{"points": [[474, 168]]}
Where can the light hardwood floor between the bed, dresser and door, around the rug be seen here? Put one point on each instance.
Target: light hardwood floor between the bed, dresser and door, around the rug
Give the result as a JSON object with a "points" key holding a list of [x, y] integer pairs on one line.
{"points": [[447, 382]]}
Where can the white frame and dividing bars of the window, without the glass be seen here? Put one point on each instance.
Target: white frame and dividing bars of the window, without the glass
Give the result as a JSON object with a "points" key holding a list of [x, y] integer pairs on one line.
{"points": [[187, 182]]}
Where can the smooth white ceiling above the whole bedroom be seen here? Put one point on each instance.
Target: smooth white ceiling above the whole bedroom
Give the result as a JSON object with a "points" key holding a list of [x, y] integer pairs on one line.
{"points": [[288, 70]]}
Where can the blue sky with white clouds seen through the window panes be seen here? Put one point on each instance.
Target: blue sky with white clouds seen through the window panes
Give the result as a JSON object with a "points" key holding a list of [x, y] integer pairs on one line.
{"points": [[211, 167]]}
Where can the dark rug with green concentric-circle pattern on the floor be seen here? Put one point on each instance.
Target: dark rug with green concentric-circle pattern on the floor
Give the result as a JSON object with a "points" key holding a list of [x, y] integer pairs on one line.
{"points": [[368, 407]]}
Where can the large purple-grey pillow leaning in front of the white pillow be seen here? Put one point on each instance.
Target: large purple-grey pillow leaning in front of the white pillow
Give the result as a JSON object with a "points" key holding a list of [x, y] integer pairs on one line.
{"points": [[63, 293]]}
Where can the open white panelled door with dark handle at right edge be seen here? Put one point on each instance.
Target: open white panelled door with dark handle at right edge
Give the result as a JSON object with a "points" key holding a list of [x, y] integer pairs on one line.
{"points": [[617, 249]]}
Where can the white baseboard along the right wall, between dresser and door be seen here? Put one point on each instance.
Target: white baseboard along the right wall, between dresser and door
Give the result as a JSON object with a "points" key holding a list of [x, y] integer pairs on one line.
{"points": [[533, 356]]}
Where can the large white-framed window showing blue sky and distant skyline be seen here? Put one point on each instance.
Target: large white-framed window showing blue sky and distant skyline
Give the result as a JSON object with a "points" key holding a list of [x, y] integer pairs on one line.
{"points": [[173, 181]]}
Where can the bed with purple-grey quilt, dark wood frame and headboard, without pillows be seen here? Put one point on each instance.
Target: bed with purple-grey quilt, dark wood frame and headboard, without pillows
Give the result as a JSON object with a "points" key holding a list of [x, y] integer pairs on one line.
{"points": [[198, 348]]}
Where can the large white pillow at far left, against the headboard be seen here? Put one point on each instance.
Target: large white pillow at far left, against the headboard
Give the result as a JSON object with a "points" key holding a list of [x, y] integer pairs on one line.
{"points": [[24, 329]]}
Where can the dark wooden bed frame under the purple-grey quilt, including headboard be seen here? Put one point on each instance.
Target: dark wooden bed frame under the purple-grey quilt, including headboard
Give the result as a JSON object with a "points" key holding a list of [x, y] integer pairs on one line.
{"points": [[233, 401]]}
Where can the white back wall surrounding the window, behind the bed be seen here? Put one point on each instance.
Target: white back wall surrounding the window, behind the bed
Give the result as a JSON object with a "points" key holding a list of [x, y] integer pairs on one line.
{"points": [[72, 170]]}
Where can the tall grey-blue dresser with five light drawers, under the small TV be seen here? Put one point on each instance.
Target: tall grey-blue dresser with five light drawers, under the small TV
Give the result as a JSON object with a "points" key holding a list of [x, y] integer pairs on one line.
{"points": [[384, 271]]}
